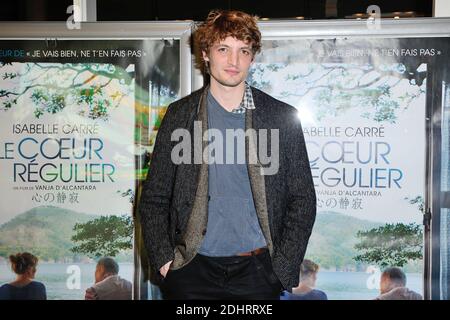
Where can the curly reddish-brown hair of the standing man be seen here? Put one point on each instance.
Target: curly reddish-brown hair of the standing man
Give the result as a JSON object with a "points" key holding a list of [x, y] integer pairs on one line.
{"points": [[221, 24]]}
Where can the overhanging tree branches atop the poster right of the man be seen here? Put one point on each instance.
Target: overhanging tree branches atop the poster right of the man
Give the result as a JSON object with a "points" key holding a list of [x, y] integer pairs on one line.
{"points": [[337, 88]]}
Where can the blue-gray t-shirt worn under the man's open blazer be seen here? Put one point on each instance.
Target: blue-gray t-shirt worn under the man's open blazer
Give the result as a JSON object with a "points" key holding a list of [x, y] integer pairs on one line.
{"points": [[233, 225]]}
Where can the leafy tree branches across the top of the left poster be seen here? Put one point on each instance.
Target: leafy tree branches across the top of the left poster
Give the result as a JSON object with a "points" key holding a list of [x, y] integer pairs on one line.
{"points": [[51, 87]]}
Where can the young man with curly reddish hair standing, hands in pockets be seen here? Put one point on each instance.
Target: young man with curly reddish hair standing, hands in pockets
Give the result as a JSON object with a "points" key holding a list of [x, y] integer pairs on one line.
{"points": [[222, 220]]}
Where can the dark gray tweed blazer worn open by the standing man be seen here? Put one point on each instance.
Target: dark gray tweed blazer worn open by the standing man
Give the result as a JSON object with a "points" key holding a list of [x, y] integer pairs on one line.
{"points": [[174, 198]]}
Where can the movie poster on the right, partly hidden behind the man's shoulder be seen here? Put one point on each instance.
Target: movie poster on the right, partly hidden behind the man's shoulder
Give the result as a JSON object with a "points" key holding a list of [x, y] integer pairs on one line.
{"points": [[362, 104]]}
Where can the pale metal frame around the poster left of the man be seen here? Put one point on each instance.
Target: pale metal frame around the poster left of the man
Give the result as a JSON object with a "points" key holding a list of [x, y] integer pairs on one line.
{"points": [[51, 32]]}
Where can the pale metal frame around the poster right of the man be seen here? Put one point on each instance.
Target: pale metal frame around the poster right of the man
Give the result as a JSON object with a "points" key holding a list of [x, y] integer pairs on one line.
{"points": [[393, 28]]}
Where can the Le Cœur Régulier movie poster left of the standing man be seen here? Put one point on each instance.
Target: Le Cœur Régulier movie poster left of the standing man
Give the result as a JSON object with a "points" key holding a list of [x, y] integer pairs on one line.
{"points": [[74, 126]]}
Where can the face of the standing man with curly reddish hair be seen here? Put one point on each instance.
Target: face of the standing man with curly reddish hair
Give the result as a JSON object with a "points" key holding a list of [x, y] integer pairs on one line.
{"points": [[229, 61]]}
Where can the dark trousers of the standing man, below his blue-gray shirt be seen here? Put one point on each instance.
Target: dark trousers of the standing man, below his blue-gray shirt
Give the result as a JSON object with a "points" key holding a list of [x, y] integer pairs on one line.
{"points": [[224, 278]]}
